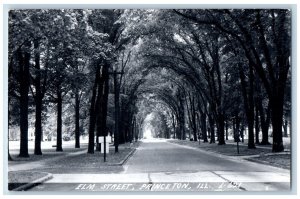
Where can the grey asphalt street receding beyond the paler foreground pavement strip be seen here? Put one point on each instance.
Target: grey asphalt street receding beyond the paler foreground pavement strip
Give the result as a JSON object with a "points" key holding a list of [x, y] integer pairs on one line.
{"points": [[161, 156]]}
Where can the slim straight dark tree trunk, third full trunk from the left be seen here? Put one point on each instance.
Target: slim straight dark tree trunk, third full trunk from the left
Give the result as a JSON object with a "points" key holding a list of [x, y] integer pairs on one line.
{"points": [[59, 120]]}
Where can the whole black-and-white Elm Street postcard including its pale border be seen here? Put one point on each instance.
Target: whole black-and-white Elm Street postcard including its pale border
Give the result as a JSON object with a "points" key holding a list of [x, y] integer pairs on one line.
{"points": [[148, 100]]}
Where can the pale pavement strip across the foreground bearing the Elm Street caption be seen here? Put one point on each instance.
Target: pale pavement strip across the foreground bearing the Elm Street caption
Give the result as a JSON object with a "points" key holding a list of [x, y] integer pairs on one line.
{"points": [[204, 181]]}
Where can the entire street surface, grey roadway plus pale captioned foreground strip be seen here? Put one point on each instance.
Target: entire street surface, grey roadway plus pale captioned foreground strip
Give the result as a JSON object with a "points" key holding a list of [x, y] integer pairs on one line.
{"points": [[163, 166]]}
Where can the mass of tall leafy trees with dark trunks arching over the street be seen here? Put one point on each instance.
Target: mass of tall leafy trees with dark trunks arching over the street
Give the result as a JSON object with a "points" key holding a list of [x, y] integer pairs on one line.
{"points": [[197, 72]]}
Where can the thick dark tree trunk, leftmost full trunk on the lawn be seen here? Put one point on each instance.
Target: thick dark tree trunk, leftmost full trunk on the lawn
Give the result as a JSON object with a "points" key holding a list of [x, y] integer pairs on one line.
{"points": [[24, 91]]}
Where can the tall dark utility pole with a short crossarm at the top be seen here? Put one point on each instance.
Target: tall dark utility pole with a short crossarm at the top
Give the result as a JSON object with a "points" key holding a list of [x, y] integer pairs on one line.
{"points": [[117, 109]]}
